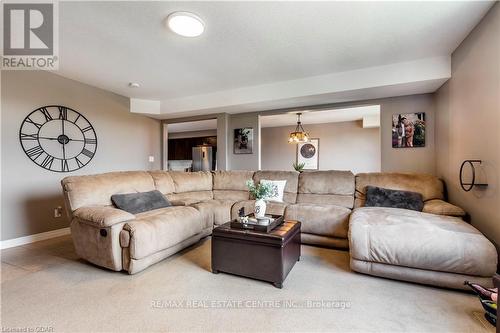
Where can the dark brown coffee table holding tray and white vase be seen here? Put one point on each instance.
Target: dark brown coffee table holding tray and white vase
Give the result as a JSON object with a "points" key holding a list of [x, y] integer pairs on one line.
{"points": [[258, 255]]}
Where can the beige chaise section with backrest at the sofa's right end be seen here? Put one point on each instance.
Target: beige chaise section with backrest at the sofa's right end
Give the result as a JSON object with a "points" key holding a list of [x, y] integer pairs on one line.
{"points": [[433, 247]]}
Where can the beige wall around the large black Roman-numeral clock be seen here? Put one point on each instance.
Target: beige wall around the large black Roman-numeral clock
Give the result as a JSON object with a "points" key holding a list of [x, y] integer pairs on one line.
{"points": [[30, 193]]}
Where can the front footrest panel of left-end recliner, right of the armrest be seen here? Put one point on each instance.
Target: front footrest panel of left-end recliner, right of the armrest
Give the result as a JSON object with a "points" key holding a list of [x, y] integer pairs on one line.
{"points": [[161, 229]]}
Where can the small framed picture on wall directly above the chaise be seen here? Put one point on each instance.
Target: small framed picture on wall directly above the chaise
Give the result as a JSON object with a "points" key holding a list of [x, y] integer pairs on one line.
{"points": [[408, 130]]}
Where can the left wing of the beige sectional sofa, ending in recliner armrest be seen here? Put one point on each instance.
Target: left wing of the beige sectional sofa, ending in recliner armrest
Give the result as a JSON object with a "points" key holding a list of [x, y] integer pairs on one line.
{"points": [[115, 239]]}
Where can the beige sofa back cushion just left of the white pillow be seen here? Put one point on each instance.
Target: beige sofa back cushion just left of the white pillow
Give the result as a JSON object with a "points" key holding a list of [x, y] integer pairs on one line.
{"points": [[230, 185]]}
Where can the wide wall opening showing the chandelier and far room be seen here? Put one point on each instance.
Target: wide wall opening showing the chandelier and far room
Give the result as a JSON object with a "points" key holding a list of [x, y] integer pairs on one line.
{"points": [[345, 138]]}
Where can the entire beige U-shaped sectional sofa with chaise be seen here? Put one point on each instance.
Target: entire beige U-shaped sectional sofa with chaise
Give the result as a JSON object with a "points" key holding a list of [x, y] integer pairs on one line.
{"points": [[379, 238]]}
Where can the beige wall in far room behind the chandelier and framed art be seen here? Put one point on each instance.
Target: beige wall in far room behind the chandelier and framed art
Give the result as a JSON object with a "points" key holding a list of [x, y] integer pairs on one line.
{"points": [[342, 146]]}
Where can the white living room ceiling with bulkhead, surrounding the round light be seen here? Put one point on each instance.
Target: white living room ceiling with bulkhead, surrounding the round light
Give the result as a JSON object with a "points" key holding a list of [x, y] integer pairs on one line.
{"points": [[250, 46]]}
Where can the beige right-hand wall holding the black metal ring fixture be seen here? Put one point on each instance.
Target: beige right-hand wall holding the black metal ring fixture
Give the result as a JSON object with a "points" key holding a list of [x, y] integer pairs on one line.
{"points": [[468, 122]]}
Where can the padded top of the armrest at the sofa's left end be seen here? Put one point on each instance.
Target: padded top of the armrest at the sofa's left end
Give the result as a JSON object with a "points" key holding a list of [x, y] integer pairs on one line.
{"points": [[102, 216]]}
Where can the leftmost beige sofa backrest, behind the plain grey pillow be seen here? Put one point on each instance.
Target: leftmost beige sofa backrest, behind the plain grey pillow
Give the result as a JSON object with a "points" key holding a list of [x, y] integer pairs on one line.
{"points": [[97, 190]]}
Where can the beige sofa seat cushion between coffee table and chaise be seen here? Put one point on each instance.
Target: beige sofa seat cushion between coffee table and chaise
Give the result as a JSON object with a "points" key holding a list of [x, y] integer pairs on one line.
{"points": [[320, 219]]}
